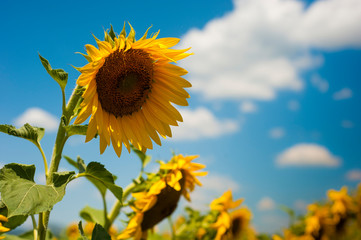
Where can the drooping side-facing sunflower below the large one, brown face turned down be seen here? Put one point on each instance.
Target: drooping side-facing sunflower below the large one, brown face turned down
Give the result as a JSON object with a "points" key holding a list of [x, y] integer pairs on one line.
{"points": [[160, 199]]}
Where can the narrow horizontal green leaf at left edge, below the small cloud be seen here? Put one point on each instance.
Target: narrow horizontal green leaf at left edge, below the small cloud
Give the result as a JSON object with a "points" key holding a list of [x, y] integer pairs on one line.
{"points": [[28, 132]]}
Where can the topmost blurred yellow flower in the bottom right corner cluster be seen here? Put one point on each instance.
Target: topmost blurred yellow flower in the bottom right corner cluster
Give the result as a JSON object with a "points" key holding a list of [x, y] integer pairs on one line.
{"points": [[342, 202]]}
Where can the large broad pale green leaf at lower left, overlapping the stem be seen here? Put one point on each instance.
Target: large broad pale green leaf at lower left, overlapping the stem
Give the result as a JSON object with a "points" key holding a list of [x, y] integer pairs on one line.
{"points": [[22, 196]]}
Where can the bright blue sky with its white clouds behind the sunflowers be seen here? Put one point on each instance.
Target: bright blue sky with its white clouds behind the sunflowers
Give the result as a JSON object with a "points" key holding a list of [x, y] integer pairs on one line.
{"points": [[275, 104]]}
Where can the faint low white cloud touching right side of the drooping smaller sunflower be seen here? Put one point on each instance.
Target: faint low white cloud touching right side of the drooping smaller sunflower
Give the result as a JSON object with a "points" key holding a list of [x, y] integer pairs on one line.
{"points": [[213, 186]]}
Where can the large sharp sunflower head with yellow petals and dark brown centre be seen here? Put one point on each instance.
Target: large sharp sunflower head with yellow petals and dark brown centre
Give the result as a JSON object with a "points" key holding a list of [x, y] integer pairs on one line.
{"points": [[129, 90]]}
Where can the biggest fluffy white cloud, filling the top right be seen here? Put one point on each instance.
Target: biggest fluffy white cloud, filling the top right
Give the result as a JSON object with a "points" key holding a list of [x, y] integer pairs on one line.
{"points": [[262, 46]]}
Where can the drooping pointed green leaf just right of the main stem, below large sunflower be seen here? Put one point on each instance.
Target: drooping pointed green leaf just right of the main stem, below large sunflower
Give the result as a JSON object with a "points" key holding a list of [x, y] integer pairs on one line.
{"points": [[102, 179]]}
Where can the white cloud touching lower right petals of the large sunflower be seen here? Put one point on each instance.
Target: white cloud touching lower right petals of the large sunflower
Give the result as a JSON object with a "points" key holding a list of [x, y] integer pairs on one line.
{"points": [[201, 123]]}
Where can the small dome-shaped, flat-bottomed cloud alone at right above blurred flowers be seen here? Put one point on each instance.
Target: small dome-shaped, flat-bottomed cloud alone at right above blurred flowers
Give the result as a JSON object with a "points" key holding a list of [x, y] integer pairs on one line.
{"points": [[305, 154]]}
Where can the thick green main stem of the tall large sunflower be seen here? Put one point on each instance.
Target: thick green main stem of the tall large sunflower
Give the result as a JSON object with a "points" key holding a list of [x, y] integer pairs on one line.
{"points": [[61, 138]]}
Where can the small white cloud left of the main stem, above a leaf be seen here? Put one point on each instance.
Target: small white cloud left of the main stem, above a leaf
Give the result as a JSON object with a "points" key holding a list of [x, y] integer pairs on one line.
{"points": [[39, 118]]}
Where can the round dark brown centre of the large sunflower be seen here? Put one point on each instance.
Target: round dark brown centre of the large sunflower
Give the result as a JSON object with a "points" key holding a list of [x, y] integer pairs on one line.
{"points": [[124, 81]]}
